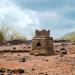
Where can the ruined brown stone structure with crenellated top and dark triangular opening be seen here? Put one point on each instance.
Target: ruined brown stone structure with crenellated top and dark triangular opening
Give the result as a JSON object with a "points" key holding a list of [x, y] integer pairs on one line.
{"points": [[42, 43]]}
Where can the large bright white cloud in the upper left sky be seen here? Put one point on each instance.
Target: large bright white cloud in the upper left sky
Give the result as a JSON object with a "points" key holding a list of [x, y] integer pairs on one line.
{"points": [[16, 18]]}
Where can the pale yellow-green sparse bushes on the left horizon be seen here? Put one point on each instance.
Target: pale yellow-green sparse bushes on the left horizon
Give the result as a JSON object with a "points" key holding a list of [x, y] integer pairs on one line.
{"points": [[6, 35]]}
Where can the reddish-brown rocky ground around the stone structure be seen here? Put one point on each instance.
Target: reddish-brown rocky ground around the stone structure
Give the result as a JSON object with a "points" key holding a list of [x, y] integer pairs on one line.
{"points": [[25, 64]]}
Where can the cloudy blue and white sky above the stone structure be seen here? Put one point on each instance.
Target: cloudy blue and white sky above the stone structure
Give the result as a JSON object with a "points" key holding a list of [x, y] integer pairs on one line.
{"points": [[27, 15]]}
